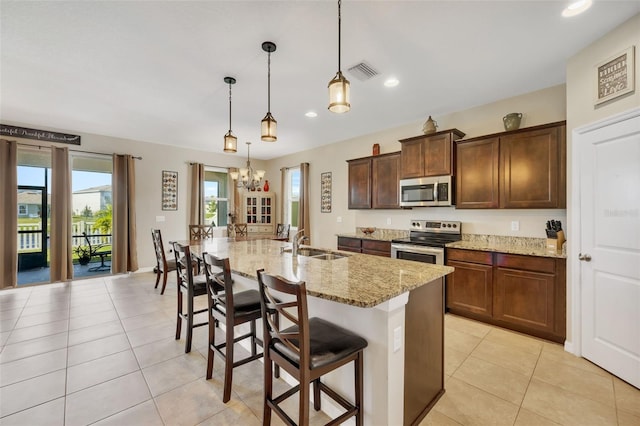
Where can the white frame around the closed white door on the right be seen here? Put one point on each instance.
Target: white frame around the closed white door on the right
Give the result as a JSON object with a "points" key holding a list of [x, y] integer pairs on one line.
{"points": [[575, 242]]}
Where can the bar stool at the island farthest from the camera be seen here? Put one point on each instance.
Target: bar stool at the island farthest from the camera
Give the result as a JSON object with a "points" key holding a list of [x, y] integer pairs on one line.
{"points": [[190, 286]]}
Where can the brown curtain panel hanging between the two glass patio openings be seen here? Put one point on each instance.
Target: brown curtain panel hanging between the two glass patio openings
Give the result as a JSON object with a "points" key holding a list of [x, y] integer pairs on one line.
{"points": [[61, 263]]}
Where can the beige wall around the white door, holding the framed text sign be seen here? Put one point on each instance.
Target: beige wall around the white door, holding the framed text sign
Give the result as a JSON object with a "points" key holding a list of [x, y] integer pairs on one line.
{"points": [[581, 111]]}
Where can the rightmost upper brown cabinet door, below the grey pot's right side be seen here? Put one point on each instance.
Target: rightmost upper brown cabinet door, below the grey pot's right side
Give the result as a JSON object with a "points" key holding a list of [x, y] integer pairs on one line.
{"points": [[529, 169]]}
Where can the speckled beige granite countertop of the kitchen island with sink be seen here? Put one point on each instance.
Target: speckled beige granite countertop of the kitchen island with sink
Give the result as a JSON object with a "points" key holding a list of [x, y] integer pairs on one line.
{"points": [[358, 279]]}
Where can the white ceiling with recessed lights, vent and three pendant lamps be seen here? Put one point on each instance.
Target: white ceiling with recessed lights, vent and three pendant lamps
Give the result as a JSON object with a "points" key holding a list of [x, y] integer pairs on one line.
{"points": [[153, 70]]}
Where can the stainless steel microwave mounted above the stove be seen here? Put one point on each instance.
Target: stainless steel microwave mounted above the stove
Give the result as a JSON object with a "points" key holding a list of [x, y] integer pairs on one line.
{"points": [[426, 192]]}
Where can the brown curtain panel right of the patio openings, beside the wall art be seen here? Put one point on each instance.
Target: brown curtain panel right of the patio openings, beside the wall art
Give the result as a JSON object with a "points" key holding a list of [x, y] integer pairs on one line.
{"points": [[124, 257]]}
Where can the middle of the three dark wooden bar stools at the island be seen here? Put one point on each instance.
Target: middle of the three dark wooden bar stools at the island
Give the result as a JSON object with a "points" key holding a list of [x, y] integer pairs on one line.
{"points": [[231, 309]]}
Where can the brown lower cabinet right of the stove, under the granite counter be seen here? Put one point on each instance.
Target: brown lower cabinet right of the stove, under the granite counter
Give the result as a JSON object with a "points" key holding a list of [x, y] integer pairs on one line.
{"points": [[523, 293]]}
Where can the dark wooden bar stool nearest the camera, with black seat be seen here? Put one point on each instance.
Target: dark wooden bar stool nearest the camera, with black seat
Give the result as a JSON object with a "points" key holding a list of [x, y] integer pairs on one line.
{"points": [[307, 350]]}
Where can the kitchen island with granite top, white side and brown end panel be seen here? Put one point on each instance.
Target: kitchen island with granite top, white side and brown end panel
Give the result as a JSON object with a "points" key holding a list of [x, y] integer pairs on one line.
{"points": [[397, 305]]}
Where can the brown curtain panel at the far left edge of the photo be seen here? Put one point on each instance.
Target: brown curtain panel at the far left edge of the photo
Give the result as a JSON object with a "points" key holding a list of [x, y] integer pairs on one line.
{"points": [[8, 213]]}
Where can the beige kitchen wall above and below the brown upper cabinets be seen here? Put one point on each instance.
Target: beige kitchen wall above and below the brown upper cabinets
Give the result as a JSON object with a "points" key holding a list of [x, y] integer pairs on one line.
{"points": [[544, 106]]}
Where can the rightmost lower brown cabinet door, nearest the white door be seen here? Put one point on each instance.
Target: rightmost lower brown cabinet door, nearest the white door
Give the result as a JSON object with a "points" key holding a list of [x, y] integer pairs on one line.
{"points": [[525, 298]]}
